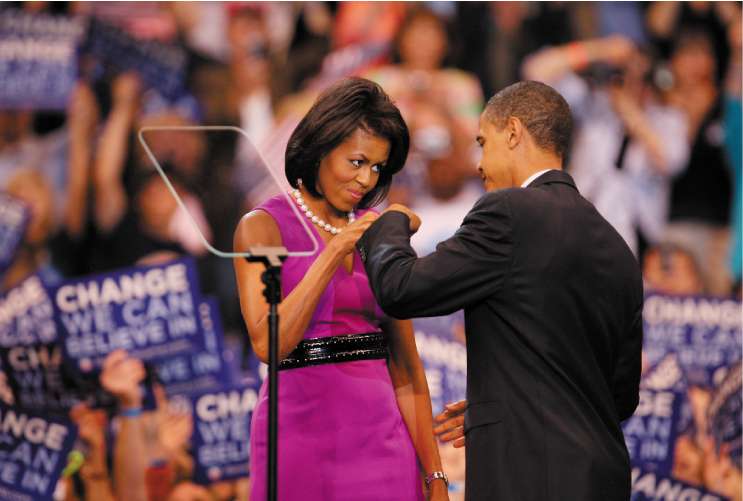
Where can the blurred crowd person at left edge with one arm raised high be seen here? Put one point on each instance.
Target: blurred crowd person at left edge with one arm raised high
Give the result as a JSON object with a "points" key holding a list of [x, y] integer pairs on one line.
{"points": [[58, 211]]}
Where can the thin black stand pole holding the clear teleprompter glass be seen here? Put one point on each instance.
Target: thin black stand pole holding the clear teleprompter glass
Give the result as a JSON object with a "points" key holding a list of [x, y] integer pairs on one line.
{"points": [[272, 258]]}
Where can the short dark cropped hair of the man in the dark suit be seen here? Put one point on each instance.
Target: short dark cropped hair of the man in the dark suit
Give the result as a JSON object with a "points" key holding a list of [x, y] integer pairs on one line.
{"points": [[541, 109]]}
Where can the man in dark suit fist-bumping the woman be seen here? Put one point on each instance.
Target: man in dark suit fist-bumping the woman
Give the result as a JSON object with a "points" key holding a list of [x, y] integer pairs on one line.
{"points": [[553, 304]]}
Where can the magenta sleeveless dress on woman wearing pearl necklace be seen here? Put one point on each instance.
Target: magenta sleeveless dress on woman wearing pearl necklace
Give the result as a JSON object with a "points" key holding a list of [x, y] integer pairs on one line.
{"points": [[341, 434]]}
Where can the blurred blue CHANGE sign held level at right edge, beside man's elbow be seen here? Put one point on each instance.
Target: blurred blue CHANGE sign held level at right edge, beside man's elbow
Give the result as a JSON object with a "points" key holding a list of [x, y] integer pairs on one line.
{"points": [[704, 332]]}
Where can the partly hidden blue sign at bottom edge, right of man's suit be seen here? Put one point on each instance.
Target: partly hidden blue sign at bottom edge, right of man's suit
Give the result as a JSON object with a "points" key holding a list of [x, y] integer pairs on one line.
{"points": [[651, 486]]}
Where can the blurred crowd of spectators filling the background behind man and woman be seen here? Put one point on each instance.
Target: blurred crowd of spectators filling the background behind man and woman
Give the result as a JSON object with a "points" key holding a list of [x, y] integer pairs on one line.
{"points": [[655, 91]]}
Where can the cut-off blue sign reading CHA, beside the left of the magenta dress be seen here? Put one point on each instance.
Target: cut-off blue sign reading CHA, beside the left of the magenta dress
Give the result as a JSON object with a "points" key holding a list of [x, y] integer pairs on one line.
{"points": [[221, 433]]}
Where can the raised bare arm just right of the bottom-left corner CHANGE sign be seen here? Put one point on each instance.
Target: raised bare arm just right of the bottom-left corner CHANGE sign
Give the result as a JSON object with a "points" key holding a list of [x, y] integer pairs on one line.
{"points": [[91, 425]]}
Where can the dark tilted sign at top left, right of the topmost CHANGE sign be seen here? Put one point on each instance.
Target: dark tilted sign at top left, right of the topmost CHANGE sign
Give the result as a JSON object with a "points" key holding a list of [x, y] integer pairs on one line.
{"points": [[160, 66]]}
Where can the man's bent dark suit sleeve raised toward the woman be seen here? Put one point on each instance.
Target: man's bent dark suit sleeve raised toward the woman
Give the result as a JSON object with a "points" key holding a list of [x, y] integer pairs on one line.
{"points": [[468, 267]]}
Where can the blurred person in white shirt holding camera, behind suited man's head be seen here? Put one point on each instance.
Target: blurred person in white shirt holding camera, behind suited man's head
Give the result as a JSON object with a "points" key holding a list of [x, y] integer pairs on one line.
{"points": [[628, 144]]}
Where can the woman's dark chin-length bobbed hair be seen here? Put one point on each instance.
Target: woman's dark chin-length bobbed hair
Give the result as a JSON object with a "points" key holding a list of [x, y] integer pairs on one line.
{"points": [[346, 106]]}
